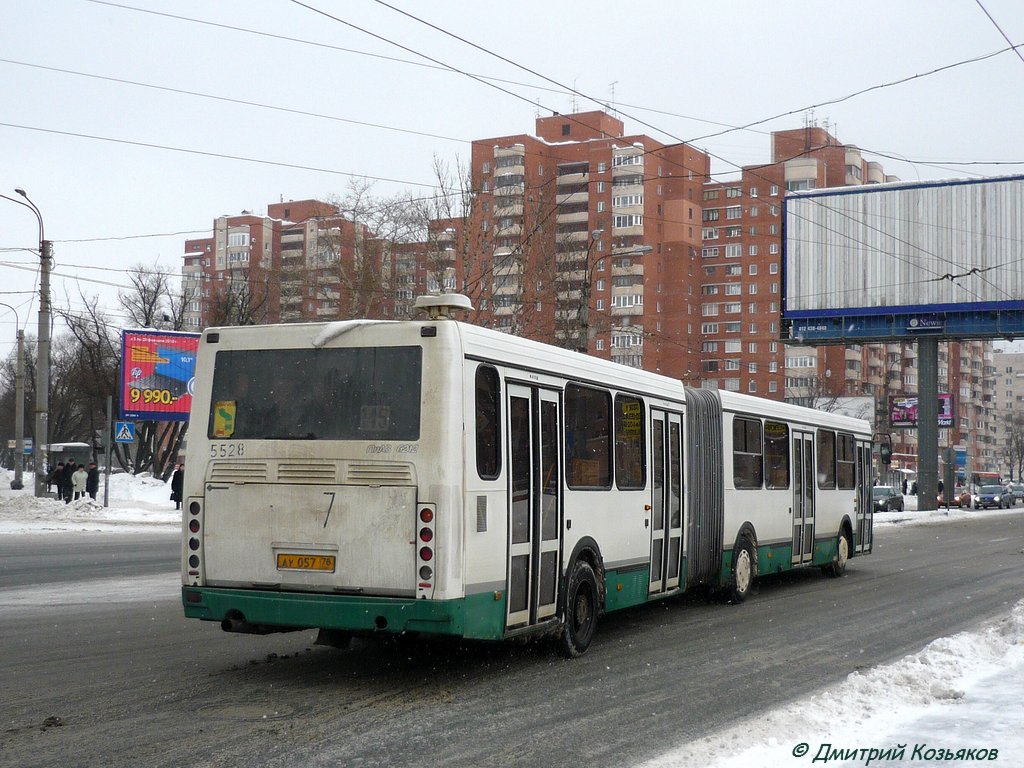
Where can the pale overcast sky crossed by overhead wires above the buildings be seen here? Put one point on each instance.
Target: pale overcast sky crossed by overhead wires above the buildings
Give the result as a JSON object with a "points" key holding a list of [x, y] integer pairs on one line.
{"points": [[688, 69]]}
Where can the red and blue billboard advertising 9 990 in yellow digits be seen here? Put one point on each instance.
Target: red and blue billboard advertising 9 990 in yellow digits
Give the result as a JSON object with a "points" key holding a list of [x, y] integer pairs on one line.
{"points": [[158, 369]]}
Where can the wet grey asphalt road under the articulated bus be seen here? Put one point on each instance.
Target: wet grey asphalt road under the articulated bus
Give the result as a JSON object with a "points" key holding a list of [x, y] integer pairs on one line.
{"points": [[101, 674]]}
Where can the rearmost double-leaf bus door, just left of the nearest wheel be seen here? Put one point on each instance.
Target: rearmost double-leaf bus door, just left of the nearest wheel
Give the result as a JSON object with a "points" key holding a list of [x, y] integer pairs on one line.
{"points": [[535, 505]]}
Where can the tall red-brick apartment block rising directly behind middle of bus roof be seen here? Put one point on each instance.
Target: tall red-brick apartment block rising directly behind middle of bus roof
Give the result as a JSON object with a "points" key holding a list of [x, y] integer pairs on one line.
{"points": [[583, 237]]}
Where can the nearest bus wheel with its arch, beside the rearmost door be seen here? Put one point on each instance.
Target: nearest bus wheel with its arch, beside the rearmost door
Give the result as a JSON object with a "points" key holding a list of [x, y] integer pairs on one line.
{"points": [[583, 600]]}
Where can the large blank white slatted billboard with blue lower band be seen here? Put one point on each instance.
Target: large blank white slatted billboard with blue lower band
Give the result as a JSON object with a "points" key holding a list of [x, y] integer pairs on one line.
{"points": [[905, 261]]}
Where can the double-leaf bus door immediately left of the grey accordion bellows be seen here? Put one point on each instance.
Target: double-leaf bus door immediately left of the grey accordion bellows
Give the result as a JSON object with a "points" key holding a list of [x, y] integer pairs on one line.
{"points": [[666, 501]]}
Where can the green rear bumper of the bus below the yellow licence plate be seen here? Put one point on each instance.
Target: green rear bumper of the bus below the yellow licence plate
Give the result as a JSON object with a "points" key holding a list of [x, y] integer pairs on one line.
{"points": [[475, 617]]}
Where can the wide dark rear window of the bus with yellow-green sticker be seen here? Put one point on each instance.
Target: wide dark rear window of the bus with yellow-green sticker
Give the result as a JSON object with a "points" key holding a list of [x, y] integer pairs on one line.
{"points": [[356, 394]]}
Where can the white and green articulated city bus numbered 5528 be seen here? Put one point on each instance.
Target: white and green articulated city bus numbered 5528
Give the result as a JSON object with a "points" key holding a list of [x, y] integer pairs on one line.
{"points": [[365, 478]]}
